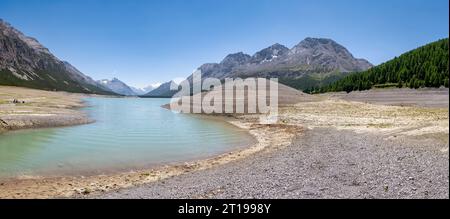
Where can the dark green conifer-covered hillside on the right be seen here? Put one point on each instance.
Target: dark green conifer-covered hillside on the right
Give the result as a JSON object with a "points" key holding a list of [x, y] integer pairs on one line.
{"points": [[427, 66]]}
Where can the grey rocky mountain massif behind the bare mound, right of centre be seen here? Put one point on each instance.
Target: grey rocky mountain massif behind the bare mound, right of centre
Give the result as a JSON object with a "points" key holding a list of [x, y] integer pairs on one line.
{"points": [[309, 63]]}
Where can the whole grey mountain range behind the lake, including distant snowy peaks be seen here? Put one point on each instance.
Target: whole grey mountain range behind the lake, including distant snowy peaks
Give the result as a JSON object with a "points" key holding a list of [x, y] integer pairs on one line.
{"points": [[312, 62]]}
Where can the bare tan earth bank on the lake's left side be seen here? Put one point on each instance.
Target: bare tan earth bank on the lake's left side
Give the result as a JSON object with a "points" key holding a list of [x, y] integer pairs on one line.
{"points": [[39, 109]]}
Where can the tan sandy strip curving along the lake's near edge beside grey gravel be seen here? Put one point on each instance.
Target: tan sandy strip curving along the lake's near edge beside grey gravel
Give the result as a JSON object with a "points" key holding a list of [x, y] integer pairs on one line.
{"points": [[66, 187]]}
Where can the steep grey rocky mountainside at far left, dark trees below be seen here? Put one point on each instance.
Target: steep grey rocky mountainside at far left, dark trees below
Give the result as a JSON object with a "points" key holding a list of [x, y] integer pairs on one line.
{"points": [[25, 62]]}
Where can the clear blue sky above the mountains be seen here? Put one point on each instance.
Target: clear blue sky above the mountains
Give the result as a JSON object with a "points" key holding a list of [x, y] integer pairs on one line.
{"points": [[147, 41]]}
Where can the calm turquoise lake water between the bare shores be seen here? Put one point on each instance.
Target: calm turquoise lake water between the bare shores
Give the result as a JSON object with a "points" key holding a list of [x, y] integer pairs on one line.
{"points": [[129, 133]]}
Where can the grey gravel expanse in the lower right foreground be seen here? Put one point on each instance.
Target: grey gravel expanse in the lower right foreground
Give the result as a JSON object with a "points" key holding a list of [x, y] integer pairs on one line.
{"points": [[321, 163]]}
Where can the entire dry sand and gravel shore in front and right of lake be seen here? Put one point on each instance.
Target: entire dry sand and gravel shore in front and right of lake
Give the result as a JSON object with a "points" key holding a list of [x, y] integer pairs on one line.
{"points": [[324, 147]]}
